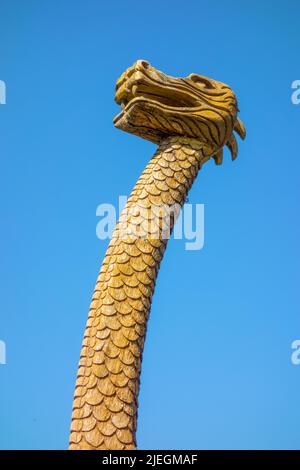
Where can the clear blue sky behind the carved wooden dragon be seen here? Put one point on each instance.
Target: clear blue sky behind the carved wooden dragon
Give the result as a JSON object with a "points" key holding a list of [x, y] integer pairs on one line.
{"points": [[217, 371]]}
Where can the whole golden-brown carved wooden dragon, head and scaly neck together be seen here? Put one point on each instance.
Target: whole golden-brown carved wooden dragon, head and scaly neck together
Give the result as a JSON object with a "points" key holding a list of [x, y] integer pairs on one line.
{"points": [[190, 119]]}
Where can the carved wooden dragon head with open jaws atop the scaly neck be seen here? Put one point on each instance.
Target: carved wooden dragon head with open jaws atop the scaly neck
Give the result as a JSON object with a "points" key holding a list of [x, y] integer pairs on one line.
{"points": [[156, 106]]}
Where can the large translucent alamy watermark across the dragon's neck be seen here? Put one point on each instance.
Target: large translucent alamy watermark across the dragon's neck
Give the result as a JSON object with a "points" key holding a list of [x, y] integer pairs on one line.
{"points": [[142, 220]]}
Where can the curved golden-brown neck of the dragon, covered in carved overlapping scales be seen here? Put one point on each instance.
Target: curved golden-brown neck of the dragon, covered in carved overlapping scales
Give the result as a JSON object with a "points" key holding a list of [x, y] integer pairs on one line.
{"points": [[106, 393]]}
